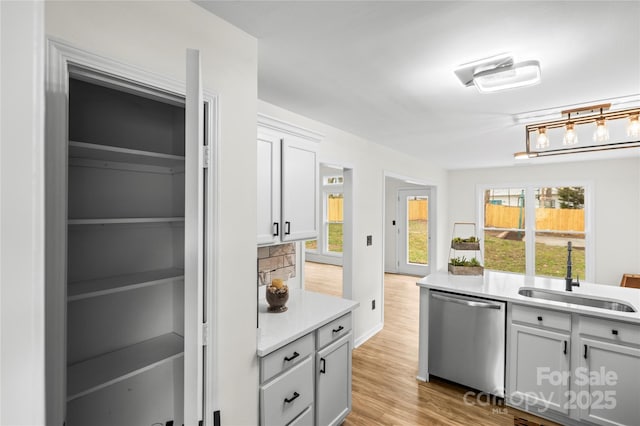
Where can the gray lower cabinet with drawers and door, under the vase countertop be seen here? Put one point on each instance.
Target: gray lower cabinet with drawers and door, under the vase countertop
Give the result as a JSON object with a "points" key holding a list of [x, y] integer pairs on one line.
{"points": [[308, 381]]}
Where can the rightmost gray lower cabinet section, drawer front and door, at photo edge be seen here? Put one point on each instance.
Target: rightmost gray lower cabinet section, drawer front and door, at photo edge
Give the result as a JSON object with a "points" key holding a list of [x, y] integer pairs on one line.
{"points": [[608, 377]]}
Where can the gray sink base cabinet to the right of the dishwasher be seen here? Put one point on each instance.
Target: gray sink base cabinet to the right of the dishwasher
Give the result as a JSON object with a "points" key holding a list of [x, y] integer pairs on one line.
{"points": [[583, 368]]}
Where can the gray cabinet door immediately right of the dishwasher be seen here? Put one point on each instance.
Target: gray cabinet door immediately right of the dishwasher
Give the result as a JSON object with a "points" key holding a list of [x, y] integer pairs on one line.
{"points": [[539, 369]]}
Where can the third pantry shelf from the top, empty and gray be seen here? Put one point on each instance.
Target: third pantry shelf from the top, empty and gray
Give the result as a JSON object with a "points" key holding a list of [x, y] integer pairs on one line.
{"points": [[100, 287]]}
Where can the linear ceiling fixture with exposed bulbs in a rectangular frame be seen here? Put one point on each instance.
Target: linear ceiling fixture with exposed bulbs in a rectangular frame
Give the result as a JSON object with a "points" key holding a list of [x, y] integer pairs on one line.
{"points": [[598, 114]]}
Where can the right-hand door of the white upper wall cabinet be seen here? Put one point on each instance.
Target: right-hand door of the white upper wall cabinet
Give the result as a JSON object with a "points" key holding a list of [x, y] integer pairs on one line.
{"points": [[299, 189]]}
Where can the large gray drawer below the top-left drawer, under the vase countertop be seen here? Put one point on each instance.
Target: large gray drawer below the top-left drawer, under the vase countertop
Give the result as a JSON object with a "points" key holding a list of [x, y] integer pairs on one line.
{"points": [[287, 396]]}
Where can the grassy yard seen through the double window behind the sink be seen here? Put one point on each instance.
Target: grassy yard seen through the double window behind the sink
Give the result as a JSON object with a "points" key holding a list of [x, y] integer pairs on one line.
{"points": [[508, 255]]}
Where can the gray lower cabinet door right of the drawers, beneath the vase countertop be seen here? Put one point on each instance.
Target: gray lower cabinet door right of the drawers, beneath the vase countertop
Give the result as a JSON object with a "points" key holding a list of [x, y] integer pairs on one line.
{"points": [[333, 382]]}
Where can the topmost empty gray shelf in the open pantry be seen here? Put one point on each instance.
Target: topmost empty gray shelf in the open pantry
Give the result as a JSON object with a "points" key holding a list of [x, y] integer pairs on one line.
{"points": [[122, 155]]}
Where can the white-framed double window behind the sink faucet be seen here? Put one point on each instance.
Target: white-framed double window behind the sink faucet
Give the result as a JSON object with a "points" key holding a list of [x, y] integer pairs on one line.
{"points": [[526, 229]]}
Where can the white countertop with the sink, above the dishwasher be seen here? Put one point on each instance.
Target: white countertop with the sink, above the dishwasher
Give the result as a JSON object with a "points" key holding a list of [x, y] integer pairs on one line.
{"points": [[505, 286]]}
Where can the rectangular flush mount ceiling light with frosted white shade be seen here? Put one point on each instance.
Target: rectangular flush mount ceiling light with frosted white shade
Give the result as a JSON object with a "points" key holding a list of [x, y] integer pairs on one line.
{"points": [[499, 73]]}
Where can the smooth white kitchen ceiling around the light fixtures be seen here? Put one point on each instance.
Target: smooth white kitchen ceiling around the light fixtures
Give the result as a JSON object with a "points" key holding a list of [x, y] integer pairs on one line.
{"points": [[384, 70]]}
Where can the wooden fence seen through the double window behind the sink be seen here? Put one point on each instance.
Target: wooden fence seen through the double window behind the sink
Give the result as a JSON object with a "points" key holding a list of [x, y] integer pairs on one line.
{"points": [[546, 219]]}
